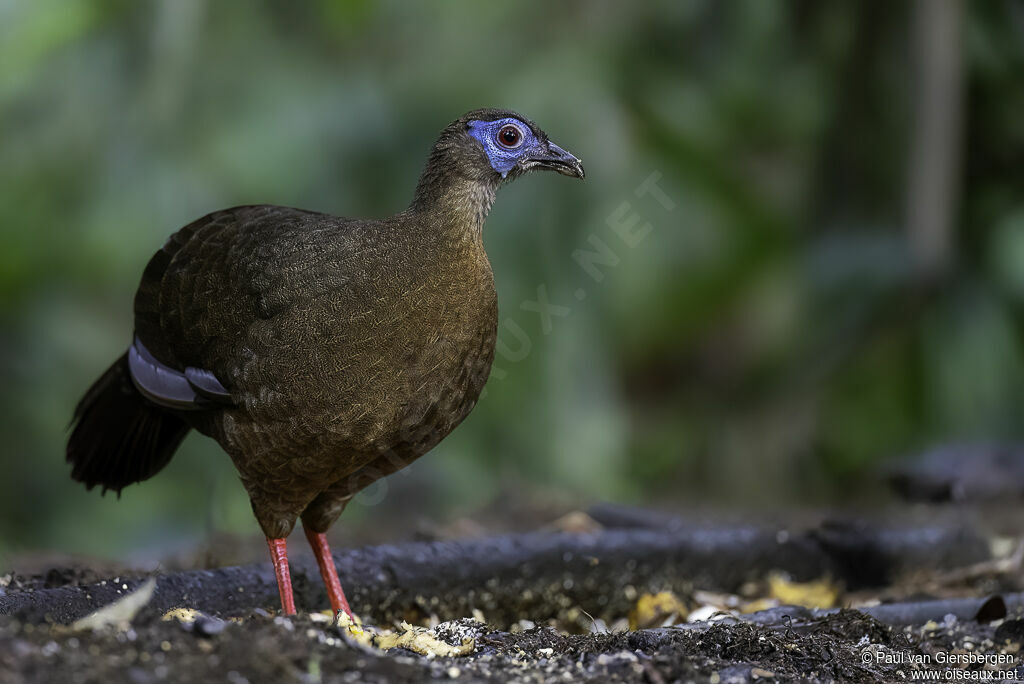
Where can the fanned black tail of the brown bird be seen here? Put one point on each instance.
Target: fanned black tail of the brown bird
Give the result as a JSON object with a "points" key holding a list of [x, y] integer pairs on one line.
{"points": [[118, 438]]}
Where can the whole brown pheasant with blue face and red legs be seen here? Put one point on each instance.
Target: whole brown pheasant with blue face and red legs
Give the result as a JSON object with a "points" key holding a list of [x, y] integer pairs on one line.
{"points": [[321, 353]]}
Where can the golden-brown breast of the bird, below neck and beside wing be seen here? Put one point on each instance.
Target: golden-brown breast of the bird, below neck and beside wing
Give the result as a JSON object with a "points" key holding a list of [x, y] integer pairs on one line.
{"points": [[350, 376]]}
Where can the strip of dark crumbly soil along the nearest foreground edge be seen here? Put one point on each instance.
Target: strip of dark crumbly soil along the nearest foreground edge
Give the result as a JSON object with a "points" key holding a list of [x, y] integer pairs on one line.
{"points": [[297, 650]]}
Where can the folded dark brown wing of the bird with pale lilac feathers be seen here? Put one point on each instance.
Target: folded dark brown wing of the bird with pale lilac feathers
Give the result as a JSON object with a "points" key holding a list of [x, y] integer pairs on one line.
{"points": [[218, 305]]}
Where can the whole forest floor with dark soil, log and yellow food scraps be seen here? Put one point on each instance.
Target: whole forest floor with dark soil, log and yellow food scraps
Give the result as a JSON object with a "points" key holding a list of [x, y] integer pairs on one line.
{"points": [[547, 618]]}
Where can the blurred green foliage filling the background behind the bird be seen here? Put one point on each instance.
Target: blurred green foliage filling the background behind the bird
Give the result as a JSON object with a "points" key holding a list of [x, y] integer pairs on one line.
{"points": [[769, 341]]}
